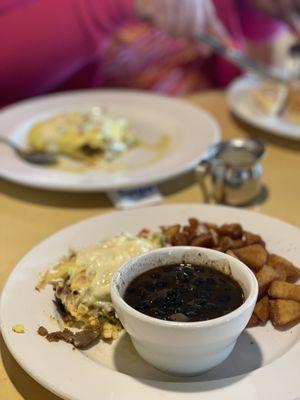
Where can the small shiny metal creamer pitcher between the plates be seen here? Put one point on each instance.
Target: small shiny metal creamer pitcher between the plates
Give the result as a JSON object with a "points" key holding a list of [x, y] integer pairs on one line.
{"points": [[232, 172]]}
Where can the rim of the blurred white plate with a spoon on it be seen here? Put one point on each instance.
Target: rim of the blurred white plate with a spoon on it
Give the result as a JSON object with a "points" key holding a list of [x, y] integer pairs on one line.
{"points": [[131, 181]]}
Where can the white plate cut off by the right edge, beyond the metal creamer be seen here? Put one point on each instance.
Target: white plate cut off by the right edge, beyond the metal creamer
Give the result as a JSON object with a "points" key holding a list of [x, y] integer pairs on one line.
{"points": [[241, 104]]}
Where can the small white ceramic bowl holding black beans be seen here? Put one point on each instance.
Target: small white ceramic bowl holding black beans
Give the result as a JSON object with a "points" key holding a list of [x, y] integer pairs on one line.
{"points": [[184, 348]]}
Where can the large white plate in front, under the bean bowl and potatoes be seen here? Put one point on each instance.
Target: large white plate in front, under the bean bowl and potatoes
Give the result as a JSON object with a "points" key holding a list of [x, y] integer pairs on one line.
{"points": [[264, 363]]}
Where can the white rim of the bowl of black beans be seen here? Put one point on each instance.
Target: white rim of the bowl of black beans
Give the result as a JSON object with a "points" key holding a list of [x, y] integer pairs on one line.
{"points": [[252, 296]]}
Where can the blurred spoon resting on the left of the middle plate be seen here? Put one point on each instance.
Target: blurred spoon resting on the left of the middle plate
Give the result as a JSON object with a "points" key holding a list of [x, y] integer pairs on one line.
{"points": [[34, 157]]}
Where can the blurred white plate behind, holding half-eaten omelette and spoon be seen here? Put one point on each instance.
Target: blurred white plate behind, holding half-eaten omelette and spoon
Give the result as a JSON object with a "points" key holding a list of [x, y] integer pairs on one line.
{"points": [[191, 131]]}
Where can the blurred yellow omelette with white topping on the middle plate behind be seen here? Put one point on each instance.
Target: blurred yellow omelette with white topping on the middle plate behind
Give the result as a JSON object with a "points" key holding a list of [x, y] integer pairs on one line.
{"points": [[87, 136]]}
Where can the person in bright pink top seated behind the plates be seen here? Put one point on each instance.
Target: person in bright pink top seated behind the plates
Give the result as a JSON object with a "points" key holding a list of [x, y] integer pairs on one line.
{"points": [[52, 45]]}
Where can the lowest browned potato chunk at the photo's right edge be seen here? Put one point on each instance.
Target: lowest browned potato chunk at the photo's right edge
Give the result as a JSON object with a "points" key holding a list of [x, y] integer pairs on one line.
{"points": [[283, 312]]}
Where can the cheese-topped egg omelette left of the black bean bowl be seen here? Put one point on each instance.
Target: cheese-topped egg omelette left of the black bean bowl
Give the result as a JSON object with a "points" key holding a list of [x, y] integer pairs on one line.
{"points": [[82, 280]]}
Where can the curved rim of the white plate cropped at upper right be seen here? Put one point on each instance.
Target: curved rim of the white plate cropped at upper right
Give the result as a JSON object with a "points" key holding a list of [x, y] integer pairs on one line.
{"points": [[283, 129]]}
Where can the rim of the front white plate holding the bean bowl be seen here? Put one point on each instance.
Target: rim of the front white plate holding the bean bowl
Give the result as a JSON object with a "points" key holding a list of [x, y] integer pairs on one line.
{"points": [[77, 384]]}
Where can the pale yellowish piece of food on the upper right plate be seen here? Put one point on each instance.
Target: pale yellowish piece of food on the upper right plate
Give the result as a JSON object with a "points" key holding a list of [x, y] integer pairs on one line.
{"points": [[270, 98]]}
